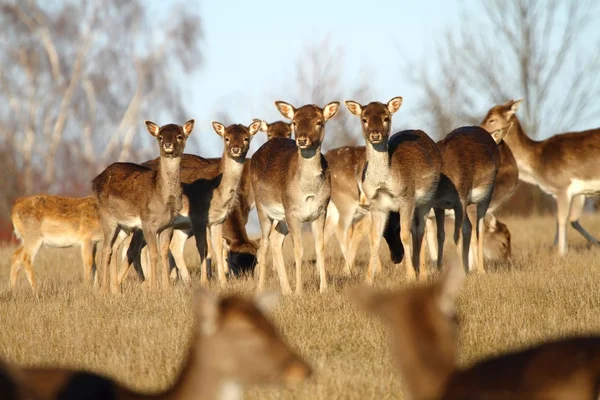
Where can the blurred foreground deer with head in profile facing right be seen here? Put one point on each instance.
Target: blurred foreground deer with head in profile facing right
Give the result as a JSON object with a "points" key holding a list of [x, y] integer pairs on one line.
{"points": [[233, 346]]}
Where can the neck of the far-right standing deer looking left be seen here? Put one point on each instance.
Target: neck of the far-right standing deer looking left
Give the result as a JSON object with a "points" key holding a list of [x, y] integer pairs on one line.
{"points": [[525, 150]]}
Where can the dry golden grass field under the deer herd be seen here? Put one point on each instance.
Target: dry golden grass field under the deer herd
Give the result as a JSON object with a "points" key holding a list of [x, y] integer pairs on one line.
{"points": [[139, 338]]}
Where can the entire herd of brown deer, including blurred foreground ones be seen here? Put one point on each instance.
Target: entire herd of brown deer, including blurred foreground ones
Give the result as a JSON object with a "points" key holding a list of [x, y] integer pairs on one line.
{"points": [[400, 186]]}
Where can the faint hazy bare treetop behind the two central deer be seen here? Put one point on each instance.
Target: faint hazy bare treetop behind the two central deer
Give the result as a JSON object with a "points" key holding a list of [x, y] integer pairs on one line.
{"points": [[319, 80]]}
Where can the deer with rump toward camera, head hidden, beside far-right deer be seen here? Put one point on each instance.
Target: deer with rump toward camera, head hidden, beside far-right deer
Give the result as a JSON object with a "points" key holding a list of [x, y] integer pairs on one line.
{"points": [[471, 161]]}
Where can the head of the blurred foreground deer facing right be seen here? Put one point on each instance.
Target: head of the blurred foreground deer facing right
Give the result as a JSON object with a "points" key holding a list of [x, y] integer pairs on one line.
{"points": [[241, 343]]}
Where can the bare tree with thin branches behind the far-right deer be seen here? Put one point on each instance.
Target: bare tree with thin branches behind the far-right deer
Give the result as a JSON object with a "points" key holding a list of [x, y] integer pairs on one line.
{"points": [[541, 51]]}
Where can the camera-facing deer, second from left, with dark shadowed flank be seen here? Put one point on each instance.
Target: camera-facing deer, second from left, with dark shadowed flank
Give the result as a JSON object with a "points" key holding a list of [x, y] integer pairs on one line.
{"points": [[210, 195]]}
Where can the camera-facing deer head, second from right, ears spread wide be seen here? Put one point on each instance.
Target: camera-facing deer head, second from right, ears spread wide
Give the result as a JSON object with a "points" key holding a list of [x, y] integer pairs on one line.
{"points": [[308, 122]]}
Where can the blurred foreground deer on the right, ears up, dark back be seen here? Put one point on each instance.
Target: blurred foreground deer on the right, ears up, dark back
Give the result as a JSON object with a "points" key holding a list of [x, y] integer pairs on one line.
{"points": [[422, 328]]}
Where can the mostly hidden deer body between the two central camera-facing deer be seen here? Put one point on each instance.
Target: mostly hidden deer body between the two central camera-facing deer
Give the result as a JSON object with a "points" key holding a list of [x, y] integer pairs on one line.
{"points": [[345, 212]]}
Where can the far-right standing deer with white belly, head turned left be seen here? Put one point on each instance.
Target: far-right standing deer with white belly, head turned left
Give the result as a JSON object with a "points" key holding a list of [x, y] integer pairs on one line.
{"points": [[564, 165]]}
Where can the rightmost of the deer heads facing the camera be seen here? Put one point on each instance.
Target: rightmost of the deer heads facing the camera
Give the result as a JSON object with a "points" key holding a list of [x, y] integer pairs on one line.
{"points": [[376, 118]]}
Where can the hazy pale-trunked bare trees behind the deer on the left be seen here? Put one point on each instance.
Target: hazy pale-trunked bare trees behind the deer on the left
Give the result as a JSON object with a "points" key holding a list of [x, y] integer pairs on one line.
{"points": [[78, 77]]}
